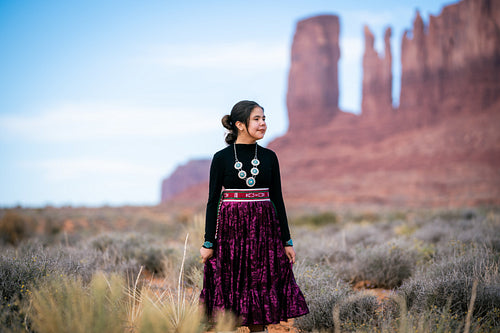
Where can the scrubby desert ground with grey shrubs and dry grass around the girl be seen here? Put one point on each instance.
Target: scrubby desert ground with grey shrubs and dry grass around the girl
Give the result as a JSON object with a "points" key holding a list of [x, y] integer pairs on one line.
{"points": [[138, 269]]}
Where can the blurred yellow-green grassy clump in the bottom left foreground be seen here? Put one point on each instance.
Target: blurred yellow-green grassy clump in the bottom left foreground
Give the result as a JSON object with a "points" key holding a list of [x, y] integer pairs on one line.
{"points": [[66, 304]]}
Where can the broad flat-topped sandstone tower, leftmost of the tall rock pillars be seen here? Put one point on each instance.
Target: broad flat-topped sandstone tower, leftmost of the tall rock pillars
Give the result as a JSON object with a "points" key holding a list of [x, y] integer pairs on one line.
{"points": [[313, 91]]}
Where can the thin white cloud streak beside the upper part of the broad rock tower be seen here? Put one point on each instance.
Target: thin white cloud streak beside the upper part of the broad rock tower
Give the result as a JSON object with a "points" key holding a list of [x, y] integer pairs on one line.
{"points": [[242, 55]]}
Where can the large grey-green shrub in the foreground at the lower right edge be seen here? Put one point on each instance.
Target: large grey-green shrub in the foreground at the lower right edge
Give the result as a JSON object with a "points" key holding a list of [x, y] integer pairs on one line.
{"points": [[450, 278]]}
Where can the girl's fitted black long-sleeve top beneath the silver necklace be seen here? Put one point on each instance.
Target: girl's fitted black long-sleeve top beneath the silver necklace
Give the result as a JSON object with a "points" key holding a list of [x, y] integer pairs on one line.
{"points": [[223, 174]]}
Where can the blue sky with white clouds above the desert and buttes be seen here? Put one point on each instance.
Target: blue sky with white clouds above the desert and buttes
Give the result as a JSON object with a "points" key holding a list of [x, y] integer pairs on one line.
{"points": [[100, 100]]}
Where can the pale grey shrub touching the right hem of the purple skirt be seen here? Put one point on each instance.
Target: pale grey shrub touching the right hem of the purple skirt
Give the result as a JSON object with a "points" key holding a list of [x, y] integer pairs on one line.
{"points": [[322, 290]]}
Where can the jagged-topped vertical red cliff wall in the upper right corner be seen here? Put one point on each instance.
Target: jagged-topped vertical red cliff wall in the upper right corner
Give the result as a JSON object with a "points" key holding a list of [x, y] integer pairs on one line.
{"points": [[456, 58]]}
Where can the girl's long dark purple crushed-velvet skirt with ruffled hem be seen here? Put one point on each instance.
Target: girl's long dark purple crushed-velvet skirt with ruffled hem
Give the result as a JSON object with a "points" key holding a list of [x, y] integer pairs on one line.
{"points": [[249, 274]]}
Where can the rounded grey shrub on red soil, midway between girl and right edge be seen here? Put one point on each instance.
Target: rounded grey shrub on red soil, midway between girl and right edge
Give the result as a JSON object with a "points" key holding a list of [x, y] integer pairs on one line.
{"points": [[384, 266]]}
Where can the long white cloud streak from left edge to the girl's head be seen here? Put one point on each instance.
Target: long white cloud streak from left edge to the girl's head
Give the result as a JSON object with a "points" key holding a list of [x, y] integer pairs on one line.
{"points": [[90, 122]]}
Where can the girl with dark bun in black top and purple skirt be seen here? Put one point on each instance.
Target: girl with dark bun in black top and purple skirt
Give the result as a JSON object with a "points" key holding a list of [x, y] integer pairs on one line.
{"points": [[248, 252]]}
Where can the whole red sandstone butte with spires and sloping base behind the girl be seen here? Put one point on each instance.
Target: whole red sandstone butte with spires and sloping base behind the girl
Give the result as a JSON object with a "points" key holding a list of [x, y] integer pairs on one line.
{"points": [[439, 148]]}
